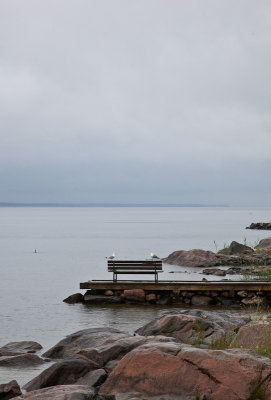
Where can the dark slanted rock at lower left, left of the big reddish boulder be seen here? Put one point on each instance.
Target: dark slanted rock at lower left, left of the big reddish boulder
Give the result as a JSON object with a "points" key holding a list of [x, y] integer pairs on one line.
{"points": [[66, 372]]}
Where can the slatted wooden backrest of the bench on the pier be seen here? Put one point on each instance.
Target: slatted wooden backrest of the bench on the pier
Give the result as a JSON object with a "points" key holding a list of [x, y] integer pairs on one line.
{"points": [[135, 265]]}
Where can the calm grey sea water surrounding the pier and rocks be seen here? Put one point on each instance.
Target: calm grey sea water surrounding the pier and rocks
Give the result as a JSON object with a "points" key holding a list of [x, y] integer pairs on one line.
{"points": [[71, 246]]}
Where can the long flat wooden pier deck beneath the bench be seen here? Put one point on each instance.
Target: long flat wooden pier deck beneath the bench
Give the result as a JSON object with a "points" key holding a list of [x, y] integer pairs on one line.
{"points": [[174, 286]]}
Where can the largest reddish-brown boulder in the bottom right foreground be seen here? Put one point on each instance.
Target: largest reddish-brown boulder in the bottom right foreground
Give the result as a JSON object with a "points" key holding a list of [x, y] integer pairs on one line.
{"points": [[216, 374]]}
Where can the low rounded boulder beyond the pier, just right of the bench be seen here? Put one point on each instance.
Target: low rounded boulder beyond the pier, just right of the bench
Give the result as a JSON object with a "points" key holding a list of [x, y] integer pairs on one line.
{"points": [[193, 258]]}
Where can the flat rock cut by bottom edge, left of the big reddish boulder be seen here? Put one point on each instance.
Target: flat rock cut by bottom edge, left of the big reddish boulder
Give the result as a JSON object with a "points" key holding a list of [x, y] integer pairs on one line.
{"points": [[63, 392]]}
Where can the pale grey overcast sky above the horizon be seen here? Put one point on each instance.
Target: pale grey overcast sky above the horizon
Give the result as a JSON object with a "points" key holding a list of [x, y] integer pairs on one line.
{"points": [[164, 101]]}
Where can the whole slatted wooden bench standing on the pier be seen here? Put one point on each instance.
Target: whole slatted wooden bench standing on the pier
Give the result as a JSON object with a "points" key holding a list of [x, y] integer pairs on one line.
{"points": [[134, 267]]}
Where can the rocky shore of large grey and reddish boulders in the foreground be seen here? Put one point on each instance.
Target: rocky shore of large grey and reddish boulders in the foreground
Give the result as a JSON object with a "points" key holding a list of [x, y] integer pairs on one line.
{"points": [[185, 355]]}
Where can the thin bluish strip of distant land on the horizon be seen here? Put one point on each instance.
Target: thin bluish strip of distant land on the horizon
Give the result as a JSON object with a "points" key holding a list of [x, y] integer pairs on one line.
{"points": [[7, 204]]}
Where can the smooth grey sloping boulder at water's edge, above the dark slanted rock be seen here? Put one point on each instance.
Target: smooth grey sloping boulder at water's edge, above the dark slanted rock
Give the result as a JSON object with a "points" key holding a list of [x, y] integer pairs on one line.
{"points": [[97, 344]]}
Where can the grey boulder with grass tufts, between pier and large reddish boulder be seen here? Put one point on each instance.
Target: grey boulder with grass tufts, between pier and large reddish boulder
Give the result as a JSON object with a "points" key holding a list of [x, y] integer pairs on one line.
{"points": [[193, 326]]}
